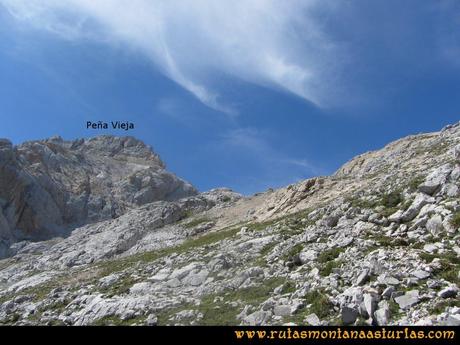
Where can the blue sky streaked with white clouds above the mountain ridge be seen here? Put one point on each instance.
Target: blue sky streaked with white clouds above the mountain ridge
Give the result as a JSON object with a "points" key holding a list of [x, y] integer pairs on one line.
{"points": [[245, 94]]}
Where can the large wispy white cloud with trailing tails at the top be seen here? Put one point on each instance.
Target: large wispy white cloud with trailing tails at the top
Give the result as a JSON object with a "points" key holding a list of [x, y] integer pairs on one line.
{"points": [[273, 43]]}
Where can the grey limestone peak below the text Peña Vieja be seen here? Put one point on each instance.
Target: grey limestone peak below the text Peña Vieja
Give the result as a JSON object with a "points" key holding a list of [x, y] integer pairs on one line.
{"points": [[49, 186]]}
